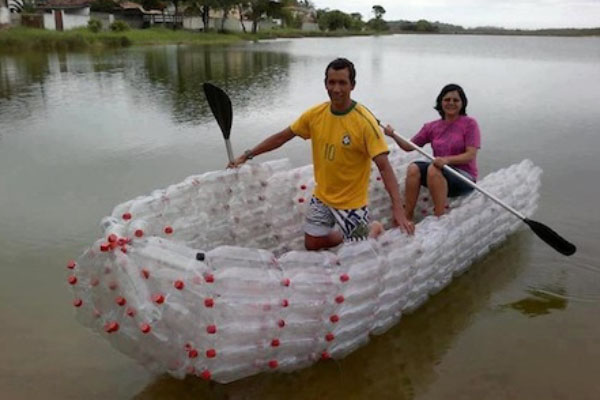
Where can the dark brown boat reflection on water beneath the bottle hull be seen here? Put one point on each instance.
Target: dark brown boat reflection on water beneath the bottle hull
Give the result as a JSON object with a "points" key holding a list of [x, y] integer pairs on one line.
{"points": [[400, 364]]}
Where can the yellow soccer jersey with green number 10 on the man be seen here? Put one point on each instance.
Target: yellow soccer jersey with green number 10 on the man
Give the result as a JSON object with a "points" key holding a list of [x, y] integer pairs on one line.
{"points": [[343, 145]]}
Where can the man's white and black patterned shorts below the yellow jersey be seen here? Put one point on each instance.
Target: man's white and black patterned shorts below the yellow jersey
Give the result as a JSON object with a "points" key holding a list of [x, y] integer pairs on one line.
{"points": [[320, 219]]}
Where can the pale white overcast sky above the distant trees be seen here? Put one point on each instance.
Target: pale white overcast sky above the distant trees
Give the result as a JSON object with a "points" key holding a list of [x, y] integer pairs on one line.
{"points": [[524, 14]]}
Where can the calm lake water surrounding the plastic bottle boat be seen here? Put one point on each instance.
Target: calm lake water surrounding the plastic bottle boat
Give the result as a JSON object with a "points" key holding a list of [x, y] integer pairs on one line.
{"points": [[82, 132]]}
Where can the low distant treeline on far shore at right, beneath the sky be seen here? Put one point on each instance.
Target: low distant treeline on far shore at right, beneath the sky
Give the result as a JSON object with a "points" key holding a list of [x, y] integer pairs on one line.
{"points": [[424, 26]]}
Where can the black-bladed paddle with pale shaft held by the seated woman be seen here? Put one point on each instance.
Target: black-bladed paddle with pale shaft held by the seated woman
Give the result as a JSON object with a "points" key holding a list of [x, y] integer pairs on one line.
{"points": [[552, 238]]}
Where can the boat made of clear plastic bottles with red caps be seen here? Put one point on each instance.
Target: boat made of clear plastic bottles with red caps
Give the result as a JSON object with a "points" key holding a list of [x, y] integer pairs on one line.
{"points": [[209, 276]]}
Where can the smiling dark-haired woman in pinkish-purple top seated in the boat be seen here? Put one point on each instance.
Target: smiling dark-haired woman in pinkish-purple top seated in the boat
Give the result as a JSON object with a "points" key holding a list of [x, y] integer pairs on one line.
{"points": [[455, 139]]}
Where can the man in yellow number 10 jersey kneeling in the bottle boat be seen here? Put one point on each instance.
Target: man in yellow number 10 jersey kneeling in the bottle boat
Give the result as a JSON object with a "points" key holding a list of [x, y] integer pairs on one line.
{"points": [[345, 138]]}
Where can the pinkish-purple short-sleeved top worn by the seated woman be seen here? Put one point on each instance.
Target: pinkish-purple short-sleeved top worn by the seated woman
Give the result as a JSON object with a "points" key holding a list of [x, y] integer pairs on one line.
{"points": [[451, 138]]}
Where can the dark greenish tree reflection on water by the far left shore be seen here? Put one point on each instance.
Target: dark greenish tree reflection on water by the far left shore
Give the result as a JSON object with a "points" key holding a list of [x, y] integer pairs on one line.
{"points": [[169, 75]]}
